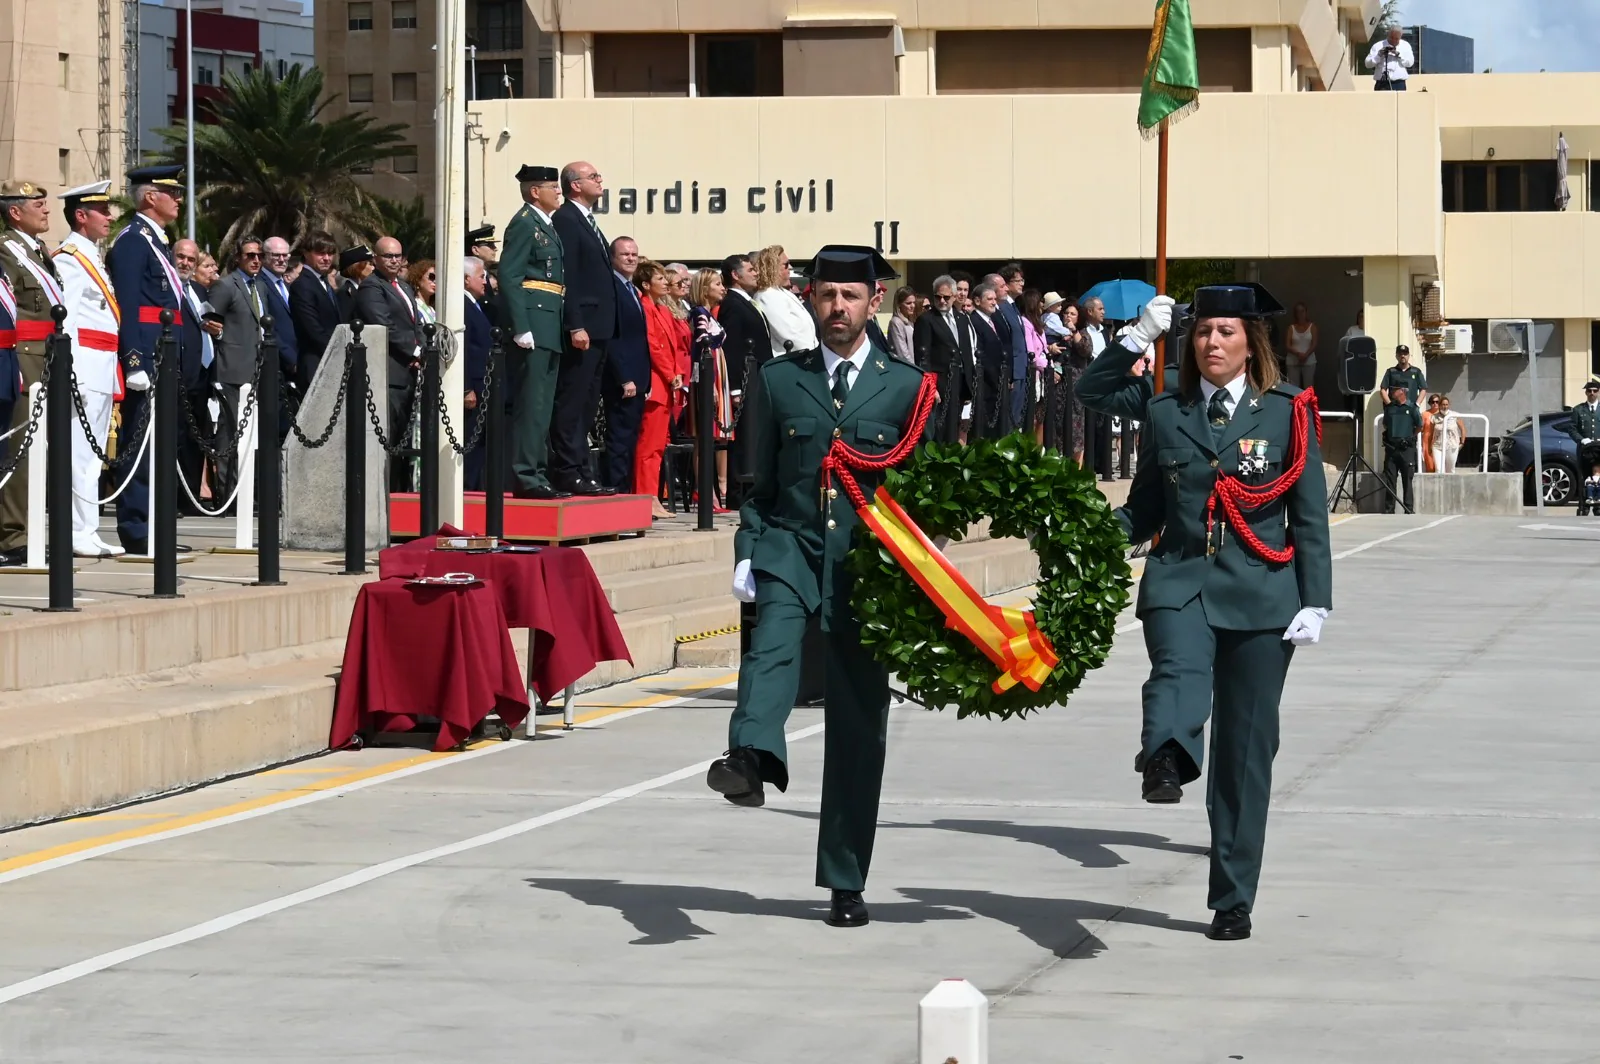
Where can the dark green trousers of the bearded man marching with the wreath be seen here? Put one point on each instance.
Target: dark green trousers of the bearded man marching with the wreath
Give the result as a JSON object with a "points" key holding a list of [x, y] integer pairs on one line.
{"points": [[857, 716]]}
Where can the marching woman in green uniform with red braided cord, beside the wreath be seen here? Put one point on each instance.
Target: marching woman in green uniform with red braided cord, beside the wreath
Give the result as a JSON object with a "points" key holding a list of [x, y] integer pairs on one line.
{"points": [[1231, 482]]}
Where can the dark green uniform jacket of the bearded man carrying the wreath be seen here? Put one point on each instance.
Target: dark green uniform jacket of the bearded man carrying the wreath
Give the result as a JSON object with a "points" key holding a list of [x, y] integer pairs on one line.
{"points": [[788, 529]]}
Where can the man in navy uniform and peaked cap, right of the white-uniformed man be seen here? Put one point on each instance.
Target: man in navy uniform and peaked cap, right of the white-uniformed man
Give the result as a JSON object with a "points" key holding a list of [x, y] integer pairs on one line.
{"points": [[146, 284]]}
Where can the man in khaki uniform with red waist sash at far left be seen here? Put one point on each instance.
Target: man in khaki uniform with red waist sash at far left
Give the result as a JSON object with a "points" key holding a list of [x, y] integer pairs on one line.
{"points": [[38, 290]]}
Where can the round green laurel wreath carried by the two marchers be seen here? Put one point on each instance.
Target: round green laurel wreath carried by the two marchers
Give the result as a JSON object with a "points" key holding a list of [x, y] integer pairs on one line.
{"points": [[1025, 492]]}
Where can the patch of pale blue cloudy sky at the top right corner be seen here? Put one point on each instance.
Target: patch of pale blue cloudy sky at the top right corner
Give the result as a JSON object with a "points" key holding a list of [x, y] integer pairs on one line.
{"points": [[1519, 36]]}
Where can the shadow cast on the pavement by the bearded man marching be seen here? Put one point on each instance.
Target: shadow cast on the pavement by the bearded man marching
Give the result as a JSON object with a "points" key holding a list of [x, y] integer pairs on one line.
{"points": [[662, 913]]}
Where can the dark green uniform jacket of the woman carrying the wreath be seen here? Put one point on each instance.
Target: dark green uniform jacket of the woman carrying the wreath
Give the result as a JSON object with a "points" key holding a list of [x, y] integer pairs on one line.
{"points": [[1178, 470]]}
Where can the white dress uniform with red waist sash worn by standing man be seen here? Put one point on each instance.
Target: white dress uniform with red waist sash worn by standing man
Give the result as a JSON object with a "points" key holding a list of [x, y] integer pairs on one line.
{"points": [[94, 324]]}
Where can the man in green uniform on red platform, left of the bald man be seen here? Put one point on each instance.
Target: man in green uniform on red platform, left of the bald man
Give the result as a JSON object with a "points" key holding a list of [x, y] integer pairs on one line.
{"points": [[534, 290]]}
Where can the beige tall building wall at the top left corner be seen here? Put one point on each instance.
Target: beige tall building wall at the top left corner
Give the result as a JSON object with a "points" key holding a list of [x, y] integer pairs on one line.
{"points": [[52, 95]]}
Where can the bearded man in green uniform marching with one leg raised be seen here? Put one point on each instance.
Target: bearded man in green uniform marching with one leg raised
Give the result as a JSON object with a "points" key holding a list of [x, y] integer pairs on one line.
{"points": [[794, 535]]}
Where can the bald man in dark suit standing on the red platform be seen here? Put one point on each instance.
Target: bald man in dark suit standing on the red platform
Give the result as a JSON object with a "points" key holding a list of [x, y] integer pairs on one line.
{"points": [[590, 327]]}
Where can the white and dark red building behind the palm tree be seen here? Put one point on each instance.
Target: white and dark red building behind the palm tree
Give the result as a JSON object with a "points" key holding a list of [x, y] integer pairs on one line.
{"points": [[231, 38]]}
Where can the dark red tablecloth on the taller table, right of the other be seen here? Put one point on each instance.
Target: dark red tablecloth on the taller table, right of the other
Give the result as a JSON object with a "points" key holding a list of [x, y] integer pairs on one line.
{"points": [[554, 593]]}
